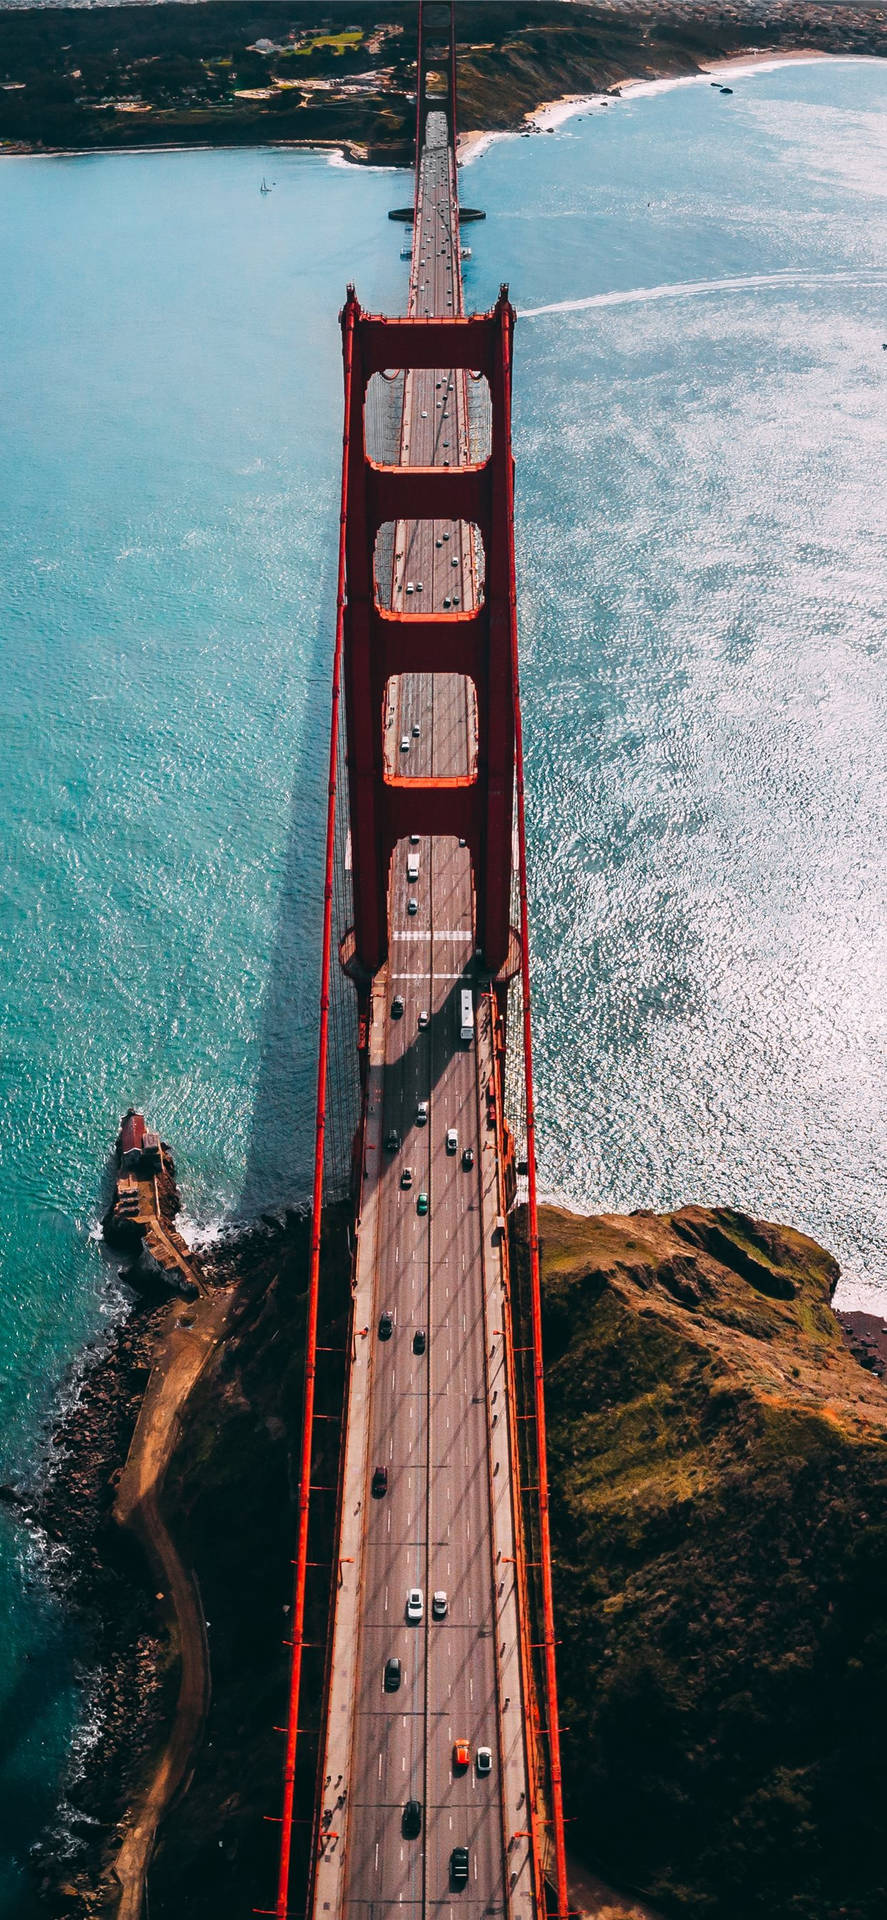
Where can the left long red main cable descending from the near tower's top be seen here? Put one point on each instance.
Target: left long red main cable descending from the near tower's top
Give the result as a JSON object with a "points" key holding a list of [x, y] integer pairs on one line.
{"points": [[314, 1282]]}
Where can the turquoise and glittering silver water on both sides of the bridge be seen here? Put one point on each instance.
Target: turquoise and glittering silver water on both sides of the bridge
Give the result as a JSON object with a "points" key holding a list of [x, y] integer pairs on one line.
{"points": [[704, 548]]}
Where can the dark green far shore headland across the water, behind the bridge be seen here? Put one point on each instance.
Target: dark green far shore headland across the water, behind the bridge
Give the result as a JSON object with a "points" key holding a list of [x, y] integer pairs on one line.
{"points": [[247, 72]]}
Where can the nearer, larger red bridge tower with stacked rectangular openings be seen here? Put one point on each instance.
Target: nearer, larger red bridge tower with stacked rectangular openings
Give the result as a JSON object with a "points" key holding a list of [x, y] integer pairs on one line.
{"points": [[479, 642]]}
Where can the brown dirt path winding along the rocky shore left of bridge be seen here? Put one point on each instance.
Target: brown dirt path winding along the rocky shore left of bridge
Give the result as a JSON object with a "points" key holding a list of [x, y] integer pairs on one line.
{"points": [[189, 1339]]}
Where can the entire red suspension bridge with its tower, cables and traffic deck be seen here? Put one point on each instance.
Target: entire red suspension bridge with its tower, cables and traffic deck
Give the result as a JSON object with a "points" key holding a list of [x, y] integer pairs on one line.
{"points": [[437, 1727]]}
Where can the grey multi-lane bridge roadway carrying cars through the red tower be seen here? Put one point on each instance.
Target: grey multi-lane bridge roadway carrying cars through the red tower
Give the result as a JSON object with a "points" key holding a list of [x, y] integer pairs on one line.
{"points": [[437, 1420]]}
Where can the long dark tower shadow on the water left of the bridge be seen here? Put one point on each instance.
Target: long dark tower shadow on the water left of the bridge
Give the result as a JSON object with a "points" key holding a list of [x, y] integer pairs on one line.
{"points": [[279, 1157]]}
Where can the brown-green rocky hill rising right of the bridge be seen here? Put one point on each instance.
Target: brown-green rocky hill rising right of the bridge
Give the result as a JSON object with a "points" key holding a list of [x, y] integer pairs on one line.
{"points": [[719, 1476]]}
